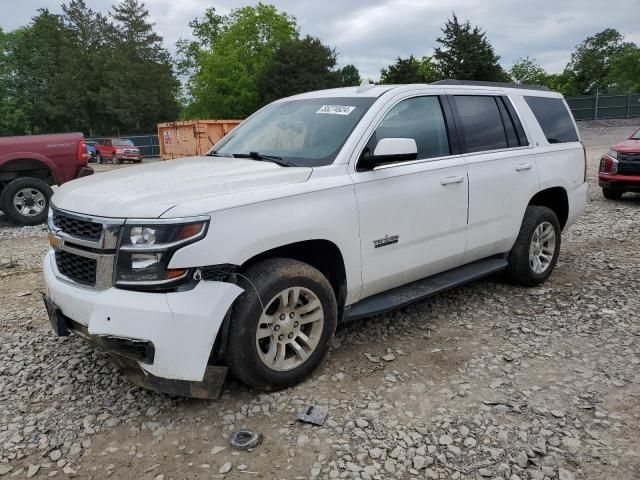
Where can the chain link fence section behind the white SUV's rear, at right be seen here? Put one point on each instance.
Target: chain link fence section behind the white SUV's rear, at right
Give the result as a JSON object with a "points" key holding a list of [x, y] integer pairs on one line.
{"points": [[600, 107]]}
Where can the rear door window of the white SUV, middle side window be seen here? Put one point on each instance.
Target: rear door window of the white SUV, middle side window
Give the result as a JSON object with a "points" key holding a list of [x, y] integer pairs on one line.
{"points": [[482, 127]]}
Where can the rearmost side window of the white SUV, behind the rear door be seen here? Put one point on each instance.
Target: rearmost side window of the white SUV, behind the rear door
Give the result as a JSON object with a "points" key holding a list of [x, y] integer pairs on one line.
{"points": [[554, 118]]}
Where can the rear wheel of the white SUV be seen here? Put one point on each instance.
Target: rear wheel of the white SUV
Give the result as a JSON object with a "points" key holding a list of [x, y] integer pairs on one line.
{"points": [[523, 268]]}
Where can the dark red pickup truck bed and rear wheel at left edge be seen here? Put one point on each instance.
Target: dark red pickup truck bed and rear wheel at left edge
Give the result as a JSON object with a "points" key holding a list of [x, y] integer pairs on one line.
{"points": [[29, 165]]}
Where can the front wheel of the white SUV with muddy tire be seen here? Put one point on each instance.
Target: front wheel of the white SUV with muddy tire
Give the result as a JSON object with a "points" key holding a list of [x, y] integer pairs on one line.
{"points": [[249, 358]]}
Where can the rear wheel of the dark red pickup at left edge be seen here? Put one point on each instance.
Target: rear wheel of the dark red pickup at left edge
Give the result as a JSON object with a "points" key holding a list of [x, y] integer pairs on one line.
{"points": [[26, 200]]}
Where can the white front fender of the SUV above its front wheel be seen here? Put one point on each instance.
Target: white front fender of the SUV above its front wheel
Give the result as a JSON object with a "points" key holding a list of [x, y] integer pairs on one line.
{"points": [[239, 234]]}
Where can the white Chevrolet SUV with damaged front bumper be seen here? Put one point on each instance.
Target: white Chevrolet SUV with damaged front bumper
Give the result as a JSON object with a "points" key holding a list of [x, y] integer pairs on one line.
{"points": [[328, 205]]}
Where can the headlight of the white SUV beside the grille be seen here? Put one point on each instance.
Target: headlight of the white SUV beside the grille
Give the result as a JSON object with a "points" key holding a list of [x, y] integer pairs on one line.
{"points": [[145, 251]]}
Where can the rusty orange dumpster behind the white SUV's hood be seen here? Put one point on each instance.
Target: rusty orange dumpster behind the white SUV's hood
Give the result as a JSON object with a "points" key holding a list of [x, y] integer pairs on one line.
{"points": [[191, 137]]}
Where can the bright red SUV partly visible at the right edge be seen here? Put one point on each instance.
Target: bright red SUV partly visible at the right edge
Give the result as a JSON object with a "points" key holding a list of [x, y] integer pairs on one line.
{"points": [[620, 168]]}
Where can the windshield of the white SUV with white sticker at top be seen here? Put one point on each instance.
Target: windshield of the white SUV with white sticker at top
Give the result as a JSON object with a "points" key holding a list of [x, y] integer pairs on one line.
{"points": [[305, 132]]}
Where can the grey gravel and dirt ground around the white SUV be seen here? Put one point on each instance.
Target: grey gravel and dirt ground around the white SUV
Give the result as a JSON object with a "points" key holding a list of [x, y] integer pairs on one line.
{"points": [[486, 381]]}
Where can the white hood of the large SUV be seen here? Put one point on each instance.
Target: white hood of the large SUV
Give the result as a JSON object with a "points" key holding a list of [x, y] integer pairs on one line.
{"points": [[147, 191]]}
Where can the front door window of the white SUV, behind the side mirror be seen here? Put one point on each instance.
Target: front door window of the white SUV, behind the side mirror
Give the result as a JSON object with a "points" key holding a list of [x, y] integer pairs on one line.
{"points": [[419, 118]]}
